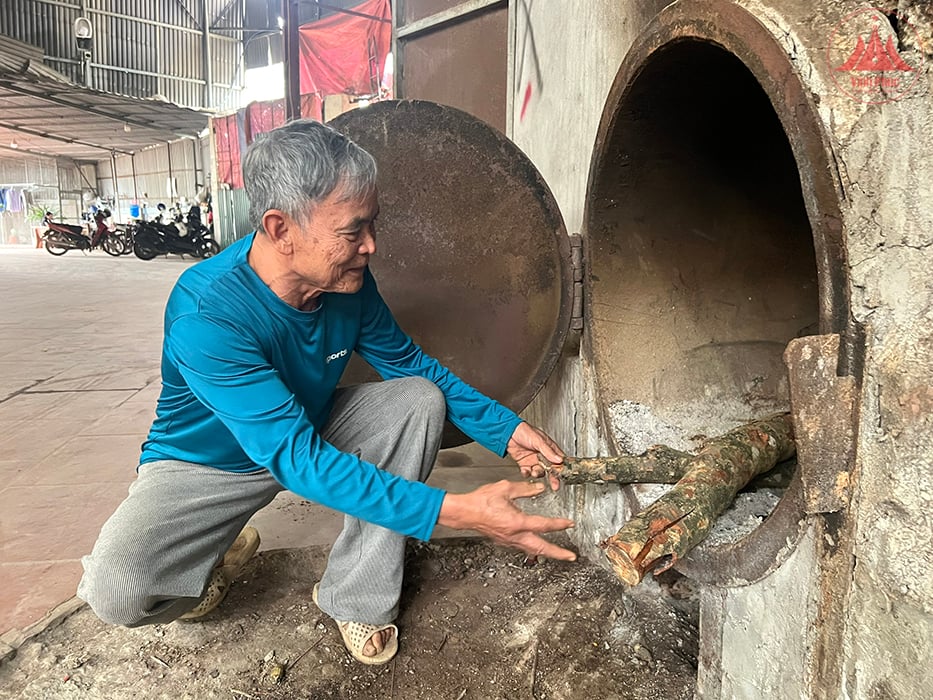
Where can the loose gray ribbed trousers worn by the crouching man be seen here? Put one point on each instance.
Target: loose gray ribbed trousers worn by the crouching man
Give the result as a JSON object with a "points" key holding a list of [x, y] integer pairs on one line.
{"points": [[155, 554]]}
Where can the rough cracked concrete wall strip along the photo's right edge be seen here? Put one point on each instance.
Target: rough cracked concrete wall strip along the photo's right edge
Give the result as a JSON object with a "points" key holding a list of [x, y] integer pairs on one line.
{"points": [[885, 154]]}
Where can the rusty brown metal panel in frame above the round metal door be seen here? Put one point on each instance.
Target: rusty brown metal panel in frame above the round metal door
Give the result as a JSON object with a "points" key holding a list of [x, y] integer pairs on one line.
{"points": [[464, 65]]}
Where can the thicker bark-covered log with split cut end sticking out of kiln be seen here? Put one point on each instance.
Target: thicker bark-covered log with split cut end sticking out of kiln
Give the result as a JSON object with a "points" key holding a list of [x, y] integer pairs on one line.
{"points": [[655, 538]]}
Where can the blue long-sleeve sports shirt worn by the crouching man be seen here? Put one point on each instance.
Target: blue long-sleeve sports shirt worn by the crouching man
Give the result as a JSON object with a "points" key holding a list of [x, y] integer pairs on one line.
{"points": [[248, 382]]}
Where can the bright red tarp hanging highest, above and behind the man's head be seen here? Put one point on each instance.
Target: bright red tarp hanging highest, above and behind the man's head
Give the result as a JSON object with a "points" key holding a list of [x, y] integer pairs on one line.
{"points": [[346, 53]]}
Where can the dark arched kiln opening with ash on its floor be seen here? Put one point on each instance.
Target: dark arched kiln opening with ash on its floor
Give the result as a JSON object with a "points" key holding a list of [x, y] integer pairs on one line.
{"points": [[700, 251]]}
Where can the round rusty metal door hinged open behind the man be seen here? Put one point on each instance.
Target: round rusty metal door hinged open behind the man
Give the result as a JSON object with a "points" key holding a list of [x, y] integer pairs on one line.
{"points": [[473, 257]]}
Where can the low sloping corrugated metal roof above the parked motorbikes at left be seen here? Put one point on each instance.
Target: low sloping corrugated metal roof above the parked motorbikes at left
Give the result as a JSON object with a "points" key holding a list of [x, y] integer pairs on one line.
{"points": [[42, 112]]}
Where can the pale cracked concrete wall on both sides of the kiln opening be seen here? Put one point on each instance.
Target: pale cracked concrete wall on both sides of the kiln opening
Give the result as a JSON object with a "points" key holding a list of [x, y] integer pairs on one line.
{"points": [[851, 613]]}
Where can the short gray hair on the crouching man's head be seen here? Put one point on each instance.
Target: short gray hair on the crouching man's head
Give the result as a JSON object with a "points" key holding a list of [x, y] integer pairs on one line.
{"points": [[298, 165]]}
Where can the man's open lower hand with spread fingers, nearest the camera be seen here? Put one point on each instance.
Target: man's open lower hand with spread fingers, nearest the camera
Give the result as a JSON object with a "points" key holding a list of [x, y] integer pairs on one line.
{"points": [[490, 511]]}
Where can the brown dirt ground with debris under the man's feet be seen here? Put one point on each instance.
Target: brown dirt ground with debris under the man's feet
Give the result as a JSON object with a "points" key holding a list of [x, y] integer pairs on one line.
{"points": [[476, 623]]}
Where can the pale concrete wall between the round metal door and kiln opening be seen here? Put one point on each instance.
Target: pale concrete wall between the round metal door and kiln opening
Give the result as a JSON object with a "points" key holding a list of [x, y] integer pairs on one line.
{"points": [[569, 59]]}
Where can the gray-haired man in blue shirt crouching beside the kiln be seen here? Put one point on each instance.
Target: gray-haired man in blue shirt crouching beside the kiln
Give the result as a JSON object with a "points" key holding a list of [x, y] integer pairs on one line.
{"points": [[255, 342]]}
